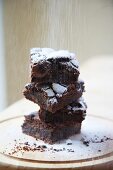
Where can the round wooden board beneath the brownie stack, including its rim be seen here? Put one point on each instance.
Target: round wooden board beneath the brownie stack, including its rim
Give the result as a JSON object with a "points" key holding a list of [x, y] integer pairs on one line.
{"points": [[83, 156]]}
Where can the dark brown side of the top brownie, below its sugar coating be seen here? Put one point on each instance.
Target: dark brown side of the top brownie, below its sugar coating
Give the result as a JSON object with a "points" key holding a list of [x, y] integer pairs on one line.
{"points": [[54, 71]]}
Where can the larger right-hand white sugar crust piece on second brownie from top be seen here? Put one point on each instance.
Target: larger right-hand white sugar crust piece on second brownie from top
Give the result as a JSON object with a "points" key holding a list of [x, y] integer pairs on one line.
{"points": [[58, 88]]}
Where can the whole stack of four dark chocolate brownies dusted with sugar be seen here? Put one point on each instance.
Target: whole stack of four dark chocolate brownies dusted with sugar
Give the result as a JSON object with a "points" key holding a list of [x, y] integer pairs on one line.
{"points": [[56, 88]]}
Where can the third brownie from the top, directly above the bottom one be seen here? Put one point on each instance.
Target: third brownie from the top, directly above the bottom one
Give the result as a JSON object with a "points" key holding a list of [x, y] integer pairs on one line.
{"points": [[75, 111]]}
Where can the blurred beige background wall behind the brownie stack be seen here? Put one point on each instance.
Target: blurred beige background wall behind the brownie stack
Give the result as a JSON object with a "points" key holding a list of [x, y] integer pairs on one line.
{"points": [[81, 26]]}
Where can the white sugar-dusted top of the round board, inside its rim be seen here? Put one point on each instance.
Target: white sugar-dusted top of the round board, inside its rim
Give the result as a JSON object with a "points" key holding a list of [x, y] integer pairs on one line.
{"points": [[98, 137]]}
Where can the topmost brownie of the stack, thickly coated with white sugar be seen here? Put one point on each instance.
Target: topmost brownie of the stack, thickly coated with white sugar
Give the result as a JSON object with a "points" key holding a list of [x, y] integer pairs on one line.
{"points": [[48, 65]]}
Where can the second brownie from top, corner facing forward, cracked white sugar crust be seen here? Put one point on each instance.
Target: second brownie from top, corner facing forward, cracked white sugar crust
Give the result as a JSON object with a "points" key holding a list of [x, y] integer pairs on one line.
{"points": [[55, 96]]}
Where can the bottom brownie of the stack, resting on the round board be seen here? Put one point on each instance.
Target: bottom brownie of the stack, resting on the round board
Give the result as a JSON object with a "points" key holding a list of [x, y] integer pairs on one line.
{"points": [[49, 132]]}
